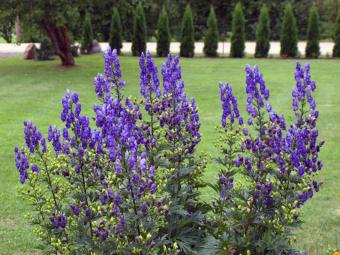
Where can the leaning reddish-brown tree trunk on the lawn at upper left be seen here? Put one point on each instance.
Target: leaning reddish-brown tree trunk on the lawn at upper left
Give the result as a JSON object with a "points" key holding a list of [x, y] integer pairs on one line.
{"points": [[61, 42]]}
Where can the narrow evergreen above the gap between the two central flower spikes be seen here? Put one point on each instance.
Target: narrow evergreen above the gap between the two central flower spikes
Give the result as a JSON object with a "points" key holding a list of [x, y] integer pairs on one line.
{"points": [[163, 35]]}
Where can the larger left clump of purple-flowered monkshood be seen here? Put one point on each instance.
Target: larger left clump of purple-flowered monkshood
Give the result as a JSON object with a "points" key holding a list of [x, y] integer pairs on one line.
{"points": [[129, 185]]}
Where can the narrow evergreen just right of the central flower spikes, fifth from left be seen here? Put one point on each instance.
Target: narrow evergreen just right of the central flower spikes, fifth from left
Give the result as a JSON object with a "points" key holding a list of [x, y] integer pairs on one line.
{"points": [[187, 47]]}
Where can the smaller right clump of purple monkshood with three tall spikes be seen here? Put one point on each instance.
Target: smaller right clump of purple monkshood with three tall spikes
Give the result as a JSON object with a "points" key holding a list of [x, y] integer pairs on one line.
{"points": [[268, 170]]}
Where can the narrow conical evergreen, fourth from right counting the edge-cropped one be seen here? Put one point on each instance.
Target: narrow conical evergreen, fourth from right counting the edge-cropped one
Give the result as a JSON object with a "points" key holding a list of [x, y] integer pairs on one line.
{"points": [[263, 34]]}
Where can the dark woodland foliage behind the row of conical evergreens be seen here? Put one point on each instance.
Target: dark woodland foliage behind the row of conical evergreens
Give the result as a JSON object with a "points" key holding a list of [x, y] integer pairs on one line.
{"points": [[101, 11]]}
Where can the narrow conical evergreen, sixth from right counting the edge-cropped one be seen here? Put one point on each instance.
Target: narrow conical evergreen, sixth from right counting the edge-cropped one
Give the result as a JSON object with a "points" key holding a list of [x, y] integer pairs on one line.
{"points": [[211, 35]]}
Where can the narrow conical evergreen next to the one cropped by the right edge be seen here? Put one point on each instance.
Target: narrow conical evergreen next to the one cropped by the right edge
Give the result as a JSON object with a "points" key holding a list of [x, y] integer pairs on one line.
{"points": [[313, 34]]}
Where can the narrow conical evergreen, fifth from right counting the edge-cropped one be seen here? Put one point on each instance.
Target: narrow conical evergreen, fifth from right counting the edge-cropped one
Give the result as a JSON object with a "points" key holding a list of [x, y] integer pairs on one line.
{"points": [[238, 34]]}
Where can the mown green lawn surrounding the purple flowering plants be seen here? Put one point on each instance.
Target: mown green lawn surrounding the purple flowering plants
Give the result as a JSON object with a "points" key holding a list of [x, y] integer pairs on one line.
{"points": [[33, 90]]}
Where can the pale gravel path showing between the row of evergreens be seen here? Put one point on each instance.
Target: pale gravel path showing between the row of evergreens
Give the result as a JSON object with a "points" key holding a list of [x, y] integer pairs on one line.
{"points": [[223, 48]]}
